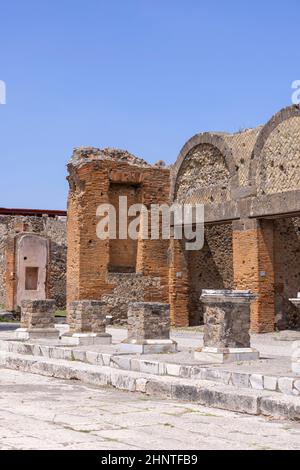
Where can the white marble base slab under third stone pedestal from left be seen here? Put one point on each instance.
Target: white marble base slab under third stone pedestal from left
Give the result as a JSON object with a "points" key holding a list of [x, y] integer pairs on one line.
{"points": [[148, 346]]}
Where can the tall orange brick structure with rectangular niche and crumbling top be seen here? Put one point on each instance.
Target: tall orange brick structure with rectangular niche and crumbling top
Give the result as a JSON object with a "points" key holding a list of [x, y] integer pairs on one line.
{"points": [[99, 177]]}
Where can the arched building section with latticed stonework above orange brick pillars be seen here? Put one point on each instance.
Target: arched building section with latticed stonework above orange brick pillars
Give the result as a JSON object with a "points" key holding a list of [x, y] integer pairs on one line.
{"points": [[260, 179]]}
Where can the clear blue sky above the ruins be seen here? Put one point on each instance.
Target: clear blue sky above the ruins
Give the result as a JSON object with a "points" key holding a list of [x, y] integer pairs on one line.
{"points": [[143, 75]]}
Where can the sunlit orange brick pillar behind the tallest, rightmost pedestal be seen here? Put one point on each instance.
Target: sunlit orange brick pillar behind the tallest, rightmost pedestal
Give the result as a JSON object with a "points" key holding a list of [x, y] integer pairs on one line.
{"points": [[253, 265]]}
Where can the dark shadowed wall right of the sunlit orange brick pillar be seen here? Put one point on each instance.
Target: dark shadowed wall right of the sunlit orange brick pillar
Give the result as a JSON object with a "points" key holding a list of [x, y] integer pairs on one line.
{"points": [[287, 271]]}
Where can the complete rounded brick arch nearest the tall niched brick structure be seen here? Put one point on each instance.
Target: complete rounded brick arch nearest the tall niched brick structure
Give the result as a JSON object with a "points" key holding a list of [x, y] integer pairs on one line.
{"points": [[214, 140]]}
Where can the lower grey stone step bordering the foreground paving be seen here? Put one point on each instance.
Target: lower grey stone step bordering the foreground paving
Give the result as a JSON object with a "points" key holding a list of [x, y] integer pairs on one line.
{"points": [[202, 392]]}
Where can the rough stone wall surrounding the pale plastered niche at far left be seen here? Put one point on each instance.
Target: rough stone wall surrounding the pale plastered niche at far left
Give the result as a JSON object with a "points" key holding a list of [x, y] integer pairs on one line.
{"points": [[55, 230]]}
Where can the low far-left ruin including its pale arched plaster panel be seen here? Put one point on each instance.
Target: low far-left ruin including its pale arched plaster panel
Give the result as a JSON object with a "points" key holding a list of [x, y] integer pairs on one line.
{"points": [[32, 257]]}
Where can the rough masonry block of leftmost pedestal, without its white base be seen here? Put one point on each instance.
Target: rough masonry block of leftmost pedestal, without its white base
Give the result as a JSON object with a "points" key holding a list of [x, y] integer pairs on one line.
{"points": [[38, 314]]}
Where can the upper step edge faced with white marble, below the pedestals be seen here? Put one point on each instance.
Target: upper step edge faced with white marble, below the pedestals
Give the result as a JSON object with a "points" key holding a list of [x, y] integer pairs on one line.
{"points": [[242, 380]]}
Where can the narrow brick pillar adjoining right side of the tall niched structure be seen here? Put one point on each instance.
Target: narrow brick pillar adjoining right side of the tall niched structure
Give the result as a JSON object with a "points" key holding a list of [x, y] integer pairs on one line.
{"points": [[178, 285]]}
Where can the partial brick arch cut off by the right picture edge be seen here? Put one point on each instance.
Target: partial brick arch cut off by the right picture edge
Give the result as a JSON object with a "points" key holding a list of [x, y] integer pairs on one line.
{"points": [[277, 119]]}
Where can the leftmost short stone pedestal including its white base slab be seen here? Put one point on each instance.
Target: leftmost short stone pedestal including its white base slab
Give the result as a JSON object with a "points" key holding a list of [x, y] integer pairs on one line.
{"points": [[37, 320]]}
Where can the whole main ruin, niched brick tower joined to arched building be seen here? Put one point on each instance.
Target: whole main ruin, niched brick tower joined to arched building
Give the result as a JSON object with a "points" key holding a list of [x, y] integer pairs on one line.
{"points": [[249, 185]]}
